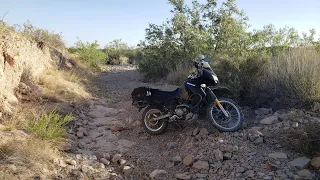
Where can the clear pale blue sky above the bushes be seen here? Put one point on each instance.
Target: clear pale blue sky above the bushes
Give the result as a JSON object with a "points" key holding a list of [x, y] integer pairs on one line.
{"points": [[106, 20]]}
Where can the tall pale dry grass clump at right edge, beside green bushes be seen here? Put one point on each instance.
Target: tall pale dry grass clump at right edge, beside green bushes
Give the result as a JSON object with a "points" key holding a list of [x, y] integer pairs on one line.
{"points": [[294, 75]]}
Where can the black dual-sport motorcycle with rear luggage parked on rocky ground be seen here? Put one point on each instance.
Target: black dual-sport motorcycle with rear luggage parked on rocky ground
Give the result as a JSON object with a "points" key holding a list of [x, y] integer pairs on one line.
{"points": [[198, 93]]}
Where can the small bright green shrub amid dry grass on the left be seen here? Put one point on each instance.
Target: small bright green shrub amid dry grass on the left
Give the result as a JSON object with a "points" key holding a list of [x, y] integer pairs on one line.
{"points": [[49, 125]]}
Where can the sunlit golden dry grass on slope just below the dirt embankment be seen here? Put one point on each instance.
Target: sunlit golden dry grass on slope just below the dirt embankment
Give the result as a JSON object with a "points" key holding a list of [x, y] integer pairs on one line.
{"points": [[63, 85]]}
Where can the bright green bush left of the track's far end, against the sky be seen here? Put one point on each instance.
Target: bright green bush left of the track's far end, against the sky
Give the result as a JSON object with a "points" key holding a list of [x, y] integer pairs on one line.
{"points": [[89, 52]]}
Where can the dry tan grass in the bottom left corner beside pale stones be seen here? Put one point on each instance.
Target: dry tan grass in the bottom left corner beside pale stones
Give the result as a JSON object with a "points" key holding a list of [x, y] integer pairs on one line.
{"points": [[24, 158]]}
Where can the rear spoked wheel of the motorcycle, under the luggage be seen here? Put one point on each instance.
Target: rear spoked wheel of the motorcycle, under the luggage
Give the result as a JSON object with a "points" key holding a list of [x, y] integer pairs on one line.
{"points": [[151, 126]]}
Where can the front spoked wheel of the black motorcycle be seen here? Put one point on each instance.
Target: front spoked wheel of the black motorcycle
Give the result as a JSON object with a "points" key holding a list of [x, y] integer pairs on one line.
{"points": [[226, 124]]}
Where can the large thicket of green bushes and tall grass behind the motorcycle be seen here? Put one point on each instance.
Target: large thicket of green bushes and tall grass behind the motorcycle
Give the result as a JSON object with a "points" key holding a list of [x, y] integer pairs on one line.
{"points": [[252, 64]]}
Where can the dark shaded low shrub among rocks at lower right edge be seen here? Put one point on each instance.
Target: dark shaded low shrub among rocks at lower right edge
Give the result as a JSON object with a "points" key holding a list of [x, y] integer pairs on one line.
{"points": [[303, 140]]}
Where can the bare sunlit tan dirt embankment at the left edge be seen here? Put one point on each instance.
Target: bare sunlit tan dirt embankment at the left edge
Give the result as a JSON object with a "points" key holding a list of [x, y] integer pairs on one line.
{"points": [[20, 58]]}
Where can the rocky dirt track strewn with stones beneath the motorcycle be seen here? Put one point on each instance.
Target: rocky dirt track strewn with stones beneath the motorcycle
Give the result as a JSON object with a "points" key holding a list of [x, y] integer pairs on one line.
{"points": [[107, 142]]}
